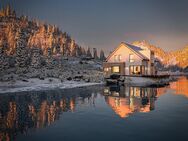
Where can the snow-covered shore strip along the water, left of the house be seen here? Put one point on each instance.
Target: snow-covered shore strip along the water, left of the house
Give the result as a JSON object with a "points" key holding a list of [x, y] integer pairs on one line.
{"points": [[35, 84]]}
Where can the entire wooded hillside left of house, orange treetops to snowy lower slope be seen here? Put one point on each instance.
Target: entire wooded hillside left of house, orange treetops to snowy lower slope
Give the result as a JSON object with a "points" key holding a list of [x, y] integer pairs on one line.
{"points": [[31, 49]]}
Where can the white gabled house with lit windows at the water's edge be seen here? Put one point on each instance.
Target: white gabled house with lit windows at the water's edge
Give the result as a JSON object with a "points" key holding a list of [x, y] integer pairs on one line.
{"points": [[128, 59]]}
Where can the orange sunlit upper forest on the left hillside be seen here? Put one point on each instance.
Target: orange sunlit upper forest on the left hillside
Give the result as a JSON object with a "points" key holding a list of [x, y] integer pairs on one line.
{"points": [[37, 34]]}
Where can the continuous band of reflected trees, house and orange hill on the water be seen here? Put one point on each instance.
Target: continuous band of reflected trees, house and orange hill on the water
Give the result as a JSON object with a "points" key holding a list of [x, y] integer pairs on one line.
{"points": [[20, 112]]}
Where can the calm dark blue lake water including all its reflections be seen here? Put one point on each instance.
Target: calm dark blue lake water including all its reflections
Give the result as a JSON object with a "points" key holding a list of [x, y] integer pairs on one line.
{"points": [[96, 114]]}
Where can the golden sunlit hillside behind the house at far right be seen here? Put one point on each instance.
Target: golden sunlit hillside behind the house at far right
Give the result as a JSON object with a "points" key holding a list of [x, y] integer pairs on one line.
{"points": [[177, 58]]}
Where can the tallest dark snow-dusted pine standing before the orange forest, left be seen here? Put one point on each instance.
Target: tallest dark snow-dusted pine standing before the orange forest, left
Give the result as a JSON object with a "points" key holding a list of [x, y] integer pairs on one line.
{"points": [[21, 52]]}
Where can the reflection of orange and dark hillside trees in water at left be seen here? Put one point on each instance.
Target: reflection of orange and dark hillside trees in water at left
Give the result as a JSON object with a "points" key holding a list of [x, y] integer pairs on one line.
{"points": [[30, 110]]}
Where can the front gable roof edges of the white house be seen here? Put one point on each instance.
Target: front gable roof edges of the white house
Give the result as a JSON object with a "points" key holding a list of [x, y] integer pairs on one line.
{"points": [[135, 49]]}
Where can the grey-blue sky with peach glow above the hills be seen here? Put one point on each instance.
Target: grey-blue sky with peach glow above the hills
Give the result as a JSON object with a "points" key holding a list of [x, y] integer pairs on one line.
{"points": [[103, 24]]}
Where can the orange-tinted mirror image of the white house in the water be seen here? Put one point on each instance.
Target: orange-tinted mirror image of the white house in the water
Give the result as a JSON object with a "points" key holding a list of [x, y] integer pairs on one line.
{"points": [[127, 100]]}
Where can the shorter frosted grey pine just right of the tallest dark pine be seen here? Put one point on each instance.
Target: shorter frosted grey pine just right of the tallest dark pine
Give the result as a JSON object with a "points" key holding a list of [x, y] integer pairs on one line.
{"points": [[36, 58]]}
